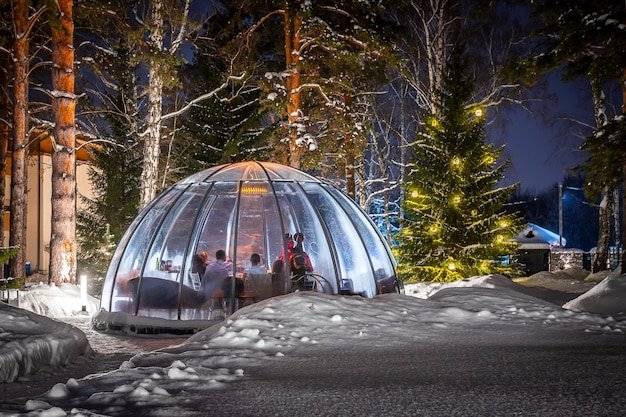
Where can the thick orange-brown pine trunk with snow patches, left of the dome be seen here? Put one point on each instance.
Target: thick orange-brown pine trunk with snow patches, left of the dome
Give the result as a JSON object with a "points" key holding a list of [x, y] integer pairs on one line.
{"points": [[63, 227]]}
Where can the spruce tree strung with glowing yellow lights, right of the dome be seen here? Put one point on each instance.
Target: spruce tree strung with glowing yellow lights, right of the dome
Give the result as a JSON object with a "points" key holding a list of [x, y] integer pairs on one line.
{"points": [[454, 224]]}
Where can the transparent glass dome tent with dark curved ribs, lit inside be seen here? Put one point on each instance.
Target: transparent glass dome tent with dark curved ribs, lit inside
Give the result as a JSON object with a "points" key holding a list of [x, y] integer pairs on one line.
{"points": [[242, 208]]}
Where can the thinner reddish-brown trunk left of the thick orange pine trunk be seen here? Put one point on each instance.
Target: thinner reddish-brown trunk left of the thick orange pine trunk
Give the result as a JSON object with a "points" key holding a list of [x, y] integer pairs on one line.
{"points": [[19, 156]]}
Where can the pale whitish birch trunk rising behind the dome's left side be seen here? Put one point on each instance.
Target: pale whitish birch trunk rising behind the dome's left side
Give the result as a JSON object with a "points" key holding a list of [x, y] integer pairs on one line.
{"points": [[152, 144]]}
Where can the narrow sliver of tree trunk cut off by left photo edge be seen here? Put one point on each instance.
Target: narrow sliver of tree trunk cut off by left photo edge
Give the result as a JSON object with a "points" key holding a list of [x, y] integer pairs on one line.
{"points": [[5, 132]]}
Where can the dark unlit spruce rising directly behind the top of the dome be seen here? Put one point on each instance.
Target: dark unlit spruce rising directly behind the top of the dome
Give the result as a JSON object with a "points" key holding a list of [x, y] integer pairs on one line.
{"points": [[229, 126]]}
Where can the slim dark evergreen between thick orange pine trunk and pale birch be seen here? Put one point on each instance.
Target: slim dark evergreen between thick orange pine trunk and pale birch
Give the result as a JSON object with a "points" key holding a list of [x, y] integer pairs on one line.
{"points": [[115, 174]]}
